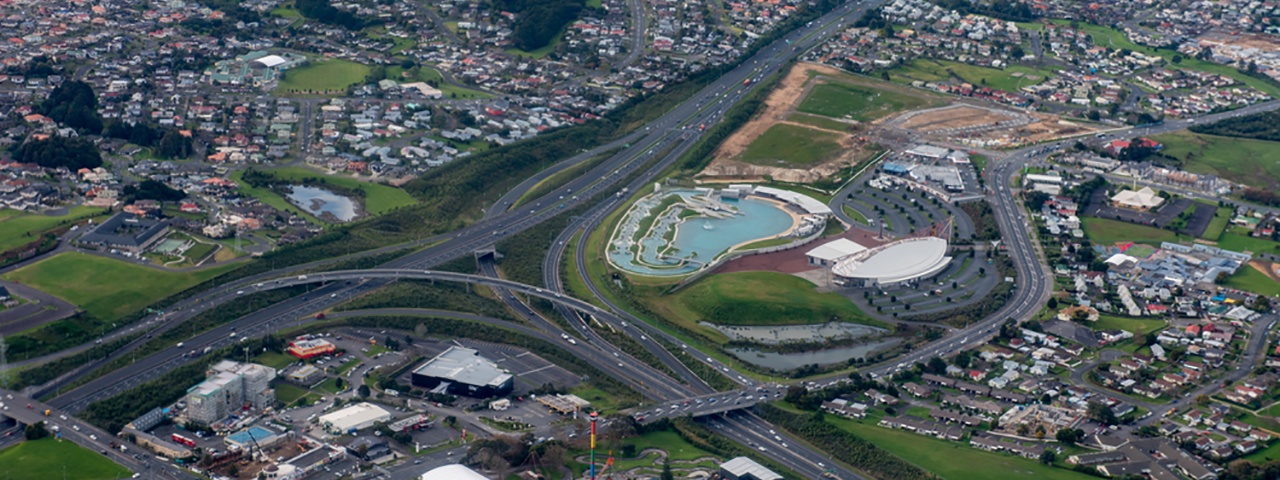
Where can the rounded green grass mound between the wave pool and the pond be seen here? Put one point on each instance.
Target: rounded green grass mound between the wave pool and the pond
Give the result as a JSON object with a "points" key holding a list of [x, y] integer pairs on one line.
{"points": [[764, 299]]}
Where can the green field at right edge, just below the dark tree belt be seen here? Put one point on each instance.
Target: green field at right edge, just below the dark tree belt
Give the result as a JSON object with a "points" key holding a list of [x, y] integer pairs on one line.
{"points": [[1255, 163]]}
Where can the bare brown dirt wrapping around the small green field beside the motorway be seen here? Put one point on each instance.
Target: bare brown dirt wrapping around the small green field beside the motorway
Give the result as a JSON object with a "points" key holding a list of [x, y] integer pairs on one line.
{"points": [[779, 109]]}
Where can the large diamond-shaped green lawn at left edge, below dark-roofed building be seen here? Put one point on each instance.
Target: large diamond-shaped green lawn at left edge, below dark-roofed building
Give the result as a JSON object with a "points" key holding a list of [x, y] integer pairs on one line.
{"points": [[108, 289]]}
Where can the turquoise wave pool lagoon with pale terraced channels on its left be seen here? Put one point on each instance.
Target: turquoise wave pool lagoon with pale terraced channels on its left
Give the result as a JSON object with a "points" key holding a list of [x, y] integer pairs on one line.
{"points": [[675, 245]]}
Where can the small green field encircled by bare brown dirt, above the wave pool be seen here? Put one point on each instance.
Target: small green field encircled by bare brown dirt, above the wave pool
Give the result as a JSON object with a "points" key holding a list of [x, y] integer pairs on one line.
{"points": [[785, 145]]}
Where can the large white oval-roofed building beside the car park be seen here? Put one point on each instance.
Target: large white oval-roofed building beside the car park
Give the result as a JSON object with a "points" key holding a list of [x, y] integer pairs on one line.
{"points": [[895, 263]]}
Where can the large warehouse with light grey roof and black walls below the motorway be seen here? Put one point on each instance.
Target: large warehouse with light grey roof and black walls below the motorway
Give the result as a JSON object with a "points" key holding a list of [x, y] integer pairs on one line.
{"points": [[463, 372]]}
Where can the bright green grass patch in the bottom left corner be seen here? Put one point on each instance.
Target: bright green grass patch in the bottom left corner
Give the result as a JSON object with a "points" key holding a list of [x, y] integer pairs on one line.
{"points": [[51, 459]]}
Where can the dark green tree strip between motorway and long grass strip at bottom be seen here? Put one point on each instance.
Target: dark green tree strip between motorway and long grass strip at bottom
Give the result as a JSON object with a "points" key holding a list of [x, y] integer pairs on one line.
{"points": [[857, 452]]}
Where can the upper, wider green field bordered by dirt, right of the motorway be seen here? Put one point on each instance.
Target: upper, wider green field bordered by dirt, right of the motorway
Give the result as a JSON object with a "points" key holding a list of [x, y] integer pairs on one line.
{"points": [[858, 103]]}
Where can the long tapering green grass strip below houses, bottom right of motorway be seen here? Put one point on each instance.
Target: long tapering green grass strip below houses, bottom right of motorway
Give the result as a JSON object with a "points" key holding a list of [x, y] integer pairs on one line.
{"points": [[952, 460]]}
